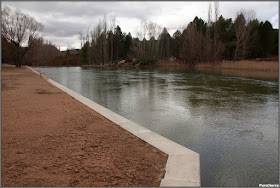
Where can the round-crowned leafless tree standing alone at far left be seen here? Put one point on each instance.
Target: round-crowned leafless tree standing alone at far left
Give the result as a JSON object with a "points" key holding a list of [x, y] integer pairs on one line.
{"points": [[21, 30]]}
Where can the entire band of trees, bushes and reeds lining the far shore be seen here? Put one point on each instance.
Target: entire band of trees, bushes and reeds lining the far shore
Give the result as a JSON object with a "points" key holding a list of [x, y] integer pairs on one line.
{"points": [[216, 43]]}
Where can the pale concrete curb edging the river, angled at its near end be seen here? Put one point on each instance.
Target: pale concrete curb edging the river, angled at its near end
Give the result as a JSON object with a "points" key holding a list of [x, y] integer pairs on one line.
{"points": [[183, 164]]}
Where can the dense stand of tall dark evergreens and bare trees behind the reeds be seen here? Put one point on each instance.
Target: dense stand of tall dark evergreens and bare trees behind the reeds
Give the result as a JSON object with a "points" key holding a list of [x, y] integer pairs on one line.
{"points": [[201, 41]]}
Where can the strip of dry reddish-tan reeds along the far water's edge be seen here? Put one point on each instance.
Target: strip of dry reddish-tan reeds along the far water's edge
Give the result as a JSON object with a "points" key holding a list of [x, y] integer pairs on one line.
{"points": [[262, 69]]}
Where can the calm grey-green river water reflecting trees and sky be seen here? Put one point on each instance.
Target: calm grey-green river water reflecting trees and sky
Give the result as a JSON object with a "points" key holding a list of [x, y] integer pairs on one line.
{"points": [[232, 122]]}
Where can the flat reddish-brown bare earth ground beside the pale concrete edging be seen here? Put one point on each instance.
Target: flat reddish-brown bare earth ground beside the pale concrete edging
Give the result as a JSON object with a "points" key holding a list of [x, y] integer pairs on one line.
{"points": [[51, 139]]}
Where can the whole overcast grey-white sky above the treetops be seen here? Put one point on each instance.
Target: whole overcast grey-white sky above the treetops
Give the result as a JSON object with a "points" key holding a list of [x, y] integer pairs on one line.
{"points": [[64, 20]]}
